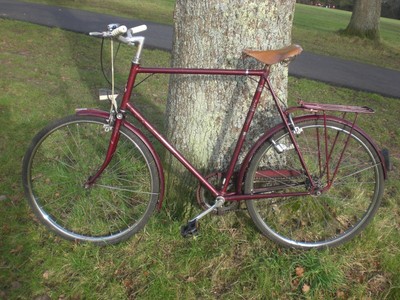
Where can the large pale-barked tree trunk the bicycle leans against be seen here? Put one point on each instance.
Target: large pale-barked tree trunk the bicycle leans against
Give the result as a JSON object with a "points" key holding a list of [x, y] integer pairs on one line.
{"points": [[205, 113]]}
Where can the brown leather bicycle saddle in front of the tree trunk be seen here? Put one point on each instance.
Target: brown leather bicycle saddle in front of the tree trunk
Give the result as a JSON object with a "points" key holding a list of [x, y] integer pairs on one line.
{"points": [[270, 57]]}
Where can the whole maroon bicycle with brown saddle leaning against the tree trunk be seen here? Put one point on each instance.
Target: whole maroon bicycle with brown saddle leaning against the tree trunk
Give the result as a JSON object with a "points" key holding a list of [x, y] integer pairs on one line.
{"points": [[313, 181]]}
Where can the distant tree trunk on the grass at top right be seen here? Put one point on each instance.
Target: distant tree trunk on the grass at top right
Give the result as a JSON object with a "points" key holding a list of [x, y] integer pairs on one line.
{"points": [[365, 19]]}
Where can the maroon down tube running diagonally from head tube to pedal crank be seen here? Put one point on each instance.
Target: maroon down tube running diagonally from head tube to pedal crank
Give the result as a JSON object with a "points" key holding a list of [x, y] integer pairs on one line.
{"points": [[172, 150]]}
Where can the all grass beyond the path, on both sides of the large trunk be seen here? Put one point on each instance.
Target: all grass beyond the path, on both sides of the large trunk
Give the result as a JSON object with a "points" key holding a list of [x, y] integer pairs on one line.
{"points": [[315, 28]]}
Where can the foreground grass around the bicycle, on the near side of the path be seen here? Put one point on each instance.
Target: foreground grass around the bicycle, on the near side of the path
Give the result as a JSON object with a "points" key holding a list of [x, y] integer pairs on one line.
{"points": [[229, 260]]}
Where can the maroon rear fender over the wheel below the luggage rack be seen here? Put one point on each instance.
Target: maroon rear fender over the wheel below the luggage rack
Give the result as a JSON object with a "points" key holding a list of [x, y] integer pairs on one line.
{"points": [[280, 126]]}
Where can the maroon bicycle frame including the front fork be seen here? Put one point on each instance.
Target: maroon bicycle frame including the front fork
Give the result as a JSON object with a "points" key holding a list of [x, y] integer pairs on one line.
{"points": [[263, 82]]}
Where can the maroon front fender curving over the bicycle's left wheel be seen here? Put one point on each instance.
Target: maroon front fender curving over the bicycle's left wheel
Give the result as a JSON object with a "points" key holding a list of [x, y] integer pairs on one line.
{"points": [[143, 138]]}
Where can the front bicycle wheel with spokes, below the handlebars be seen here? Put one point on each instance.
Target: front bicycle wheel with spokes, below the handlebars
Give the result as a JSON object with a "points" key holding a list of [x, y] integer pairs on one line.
{"points": [[59, 161]]}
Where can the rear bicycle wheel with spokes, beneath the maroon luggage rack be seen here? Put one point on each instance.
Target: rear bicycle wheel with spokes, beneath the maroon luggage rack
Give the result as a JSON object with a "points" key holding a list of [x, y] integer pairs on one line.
{"points": [[317, 221]]}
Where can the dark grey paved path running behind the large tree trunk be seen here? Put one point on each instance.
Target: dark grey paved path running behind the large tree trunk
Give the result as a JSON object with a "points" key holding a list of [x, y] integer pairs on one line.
{"points": [[318, 67]]}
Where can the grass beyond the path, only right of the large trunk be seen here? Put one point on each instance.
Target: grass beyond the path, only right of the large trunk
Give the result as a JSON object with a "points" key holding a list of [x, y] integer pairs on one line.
{"points": [[317, 30]]}
